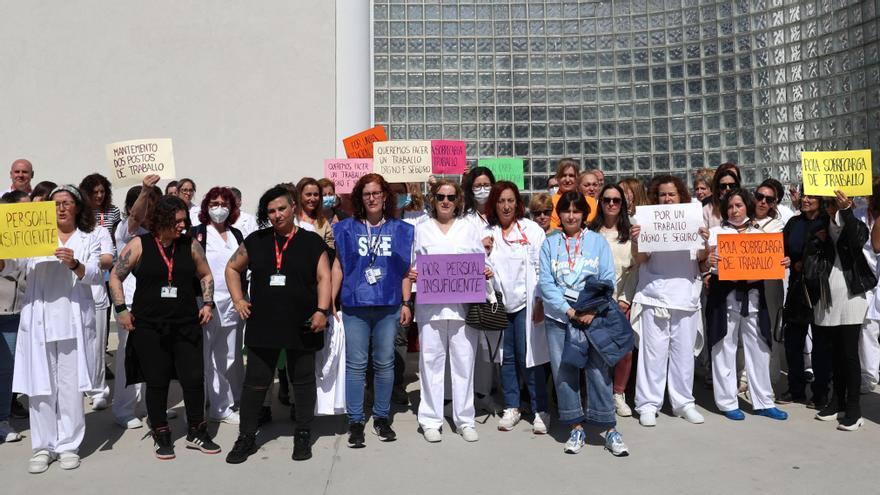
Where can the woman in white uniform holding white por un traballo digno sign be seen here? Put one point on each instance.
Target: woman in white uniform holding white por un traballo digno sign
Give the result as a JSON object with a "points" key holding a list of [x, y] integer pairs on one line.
{"points": [[668, 293]]}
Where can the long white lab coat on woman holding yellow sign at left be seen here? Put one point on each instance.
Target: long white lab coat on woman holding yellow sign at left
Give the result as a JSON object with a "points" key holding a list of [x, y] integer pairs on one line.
{"points": [[32, 368]]}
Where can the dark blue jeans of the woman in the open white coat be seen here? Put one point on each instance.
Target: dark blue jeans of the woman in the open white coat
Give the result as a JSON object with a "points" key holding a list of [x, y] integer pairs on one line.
{"points": [[514, 361]]}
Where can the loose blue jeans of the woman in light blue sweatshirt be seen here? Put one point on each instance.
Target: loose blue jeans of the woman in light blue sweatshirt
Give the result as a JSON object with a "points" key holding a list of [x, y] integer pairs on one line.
{"points": [[600, 399]]}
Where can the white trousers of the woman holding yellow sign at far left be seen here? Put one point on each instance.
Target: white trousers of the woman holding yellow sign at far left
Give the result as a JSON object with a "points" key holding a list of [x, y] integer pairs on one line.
{"points": [[58, 421]]}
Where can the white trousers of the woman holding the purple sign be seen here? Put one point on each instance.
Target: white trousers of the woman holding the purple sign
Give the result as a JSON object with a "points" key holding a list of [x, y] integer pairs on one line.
{"points": [[437, 339]]}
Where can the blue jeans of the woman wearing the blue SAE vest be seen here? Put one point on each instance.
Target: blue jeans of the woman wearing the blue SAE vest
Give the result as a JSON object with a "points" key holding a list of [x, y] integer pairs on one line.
{"points": [[363, 325]]}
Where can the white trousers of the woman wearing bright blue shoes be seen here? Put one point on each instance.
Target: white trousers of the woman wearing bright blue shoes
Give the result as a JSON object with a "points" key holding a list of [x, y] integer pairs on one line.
{"points": [[757, 364]]}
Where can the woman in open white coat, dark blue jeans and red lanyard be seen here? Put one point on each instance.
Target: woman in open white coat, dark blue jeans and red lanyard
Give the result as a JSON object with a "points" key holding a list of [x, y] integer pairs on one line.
{"points": [[515, 258]]}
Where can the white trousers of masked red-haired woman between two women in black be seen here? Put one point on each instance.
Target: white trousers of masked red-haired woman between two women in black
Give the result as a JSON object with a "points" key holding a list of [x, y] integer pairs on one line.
{"points": [[224, 366]]}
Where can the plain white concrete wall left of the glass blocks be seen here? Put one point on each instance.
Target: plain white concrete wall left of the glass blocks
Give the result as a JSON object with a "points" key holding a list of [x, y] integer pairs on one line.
{"points": [[245, 89]]}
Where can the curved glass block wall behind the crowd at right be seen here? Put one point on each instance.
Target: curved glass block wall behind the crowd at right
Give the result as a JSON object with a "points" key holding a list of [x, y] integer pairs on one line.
{"points": [[634, 87]]}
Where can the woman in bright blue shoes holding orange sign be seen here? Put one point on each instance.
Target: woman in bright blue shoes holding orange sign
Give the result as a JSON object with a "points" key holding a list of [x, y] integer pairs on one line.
{"points": [[735, 308]]}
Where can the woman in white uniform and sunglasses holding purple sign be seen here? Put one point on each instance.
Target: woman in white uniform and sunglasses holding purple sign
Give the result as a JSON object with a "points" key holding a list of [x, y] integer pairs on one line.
{"points": [[442, 330]]}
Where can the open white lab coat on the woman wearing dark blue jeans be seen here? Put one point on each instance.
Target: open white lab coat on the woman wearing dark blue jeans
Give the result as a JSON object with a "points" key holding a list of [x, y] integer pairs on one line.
{"points": [[504, 264]]}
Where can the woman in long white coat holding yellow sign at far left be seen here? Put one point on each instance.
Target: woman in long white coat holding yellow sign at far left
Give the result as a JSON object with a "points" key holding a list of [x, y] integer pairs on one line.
{"points": [[54, 355]]}
